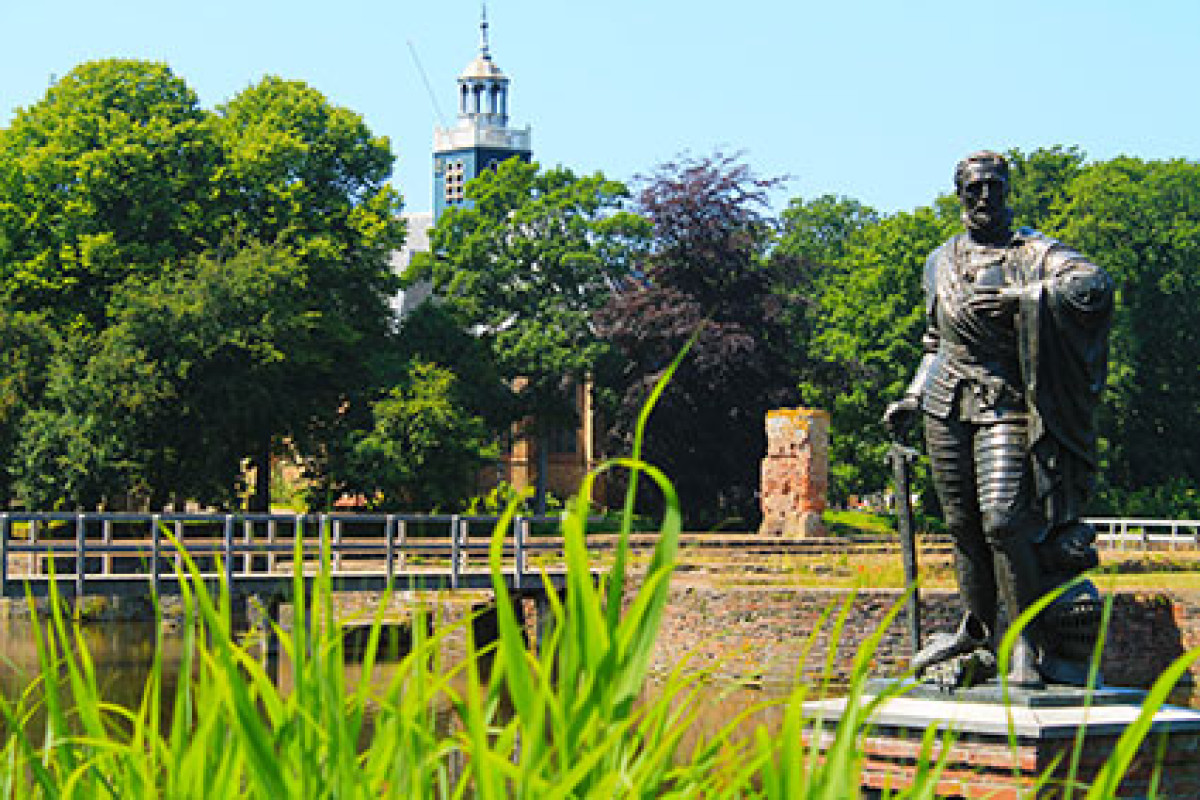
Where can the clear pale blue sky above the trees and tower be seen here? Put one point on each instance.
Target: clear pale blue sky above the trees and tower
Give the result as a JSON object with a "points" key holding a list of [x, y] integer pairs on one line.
{"points": [[868, 99]]}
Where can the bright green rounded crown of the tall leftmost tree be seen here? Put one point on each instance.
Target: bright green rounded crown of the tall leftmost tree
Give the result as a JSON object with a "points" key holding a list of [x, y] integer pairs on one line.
{"points": [[109, 177]]}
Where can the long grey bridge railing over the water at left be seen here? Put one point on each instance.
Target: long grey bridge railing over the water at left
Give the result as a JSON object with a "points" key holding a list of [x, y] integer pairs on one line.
{"points": [[97, 546]]}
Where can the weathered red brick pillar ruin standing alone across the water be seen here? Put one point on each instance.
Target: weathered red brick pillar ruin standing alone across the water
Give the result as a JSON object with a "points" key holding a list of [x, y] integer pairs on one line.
{"points": [[795, 473]]}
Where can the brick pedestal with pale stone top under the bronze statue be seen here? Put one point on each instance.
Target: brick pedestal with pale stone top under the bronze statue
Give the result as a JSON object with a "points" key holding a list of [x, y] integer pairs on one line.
{"points": [[1000, 750]]}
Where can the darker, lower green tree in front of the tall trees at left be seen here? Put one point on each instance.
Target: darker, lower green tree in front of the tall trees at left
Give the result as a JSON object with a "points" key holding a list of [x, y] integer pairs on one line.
{"points": [[163, 401]]}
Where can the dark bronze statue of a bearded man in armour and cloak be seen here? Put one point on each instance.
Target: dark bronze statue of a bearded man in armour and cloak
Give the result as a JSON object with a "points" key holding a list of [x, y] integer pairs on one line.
{"points": [[1016, 358]]}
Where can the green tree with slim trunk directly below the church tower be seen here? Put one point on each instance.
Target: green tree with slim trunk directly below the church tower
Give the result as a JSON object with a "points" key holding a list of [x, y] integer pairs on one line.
{"points": [[524, 267]]}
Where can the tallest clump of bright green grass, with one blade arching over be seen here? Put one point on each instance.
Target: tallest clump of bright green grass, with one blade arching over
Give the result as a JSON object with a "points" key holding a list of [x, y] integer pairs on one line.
{"points": [[602, 661]]}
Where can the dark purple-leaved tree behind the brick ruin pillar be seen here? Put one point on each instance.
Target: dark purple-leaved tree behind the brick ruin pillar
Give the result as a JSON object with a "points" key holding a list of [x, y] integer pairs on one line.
{"points": [[709, 274]]}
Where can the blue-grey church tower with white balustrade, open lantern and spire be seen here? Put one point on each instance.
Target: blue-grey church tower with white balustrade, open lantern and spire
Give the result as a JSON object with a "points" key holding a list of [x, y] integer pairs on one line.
{"points": [[482, 140]]}
